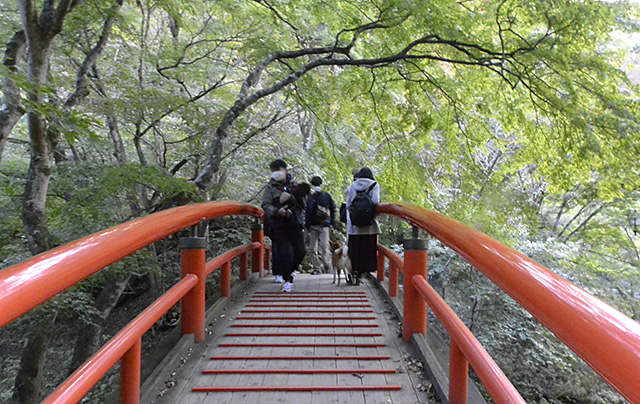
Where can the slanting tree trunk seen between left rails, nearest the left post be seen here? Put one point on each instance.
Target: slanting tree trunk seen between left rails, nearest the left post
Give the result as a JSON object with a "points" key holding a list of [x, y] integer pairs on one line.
{"points": [[90, 333]]}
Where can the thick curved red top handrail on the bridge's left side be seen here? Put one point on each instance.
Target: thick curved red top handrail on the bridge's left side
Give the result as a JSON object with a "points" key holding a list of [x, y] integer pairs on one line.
{"points": [[26, 285]]}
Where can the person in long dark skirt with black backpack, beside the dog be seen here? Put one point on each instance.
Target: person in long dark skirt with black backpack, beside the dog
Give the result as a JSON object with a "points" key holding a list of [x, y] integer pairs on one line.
{"points": [[362, 197]]}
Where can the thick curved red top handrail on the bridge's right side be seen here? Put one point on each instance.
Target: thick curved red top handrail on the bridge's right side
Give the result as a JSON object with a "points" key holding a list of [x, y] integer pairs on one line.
{"points": [[584, 323]]}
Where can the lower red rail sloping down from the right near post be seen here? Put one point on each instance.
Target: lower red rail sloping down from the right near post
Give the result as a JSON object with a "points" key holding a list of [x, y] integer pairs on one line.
{"points": [[491, 376]]}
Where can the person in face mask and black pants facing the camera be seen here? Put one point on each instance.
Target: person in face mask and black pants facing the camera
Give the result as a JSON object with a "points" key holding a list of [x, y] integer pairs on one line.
{"points": [[283, 203]]}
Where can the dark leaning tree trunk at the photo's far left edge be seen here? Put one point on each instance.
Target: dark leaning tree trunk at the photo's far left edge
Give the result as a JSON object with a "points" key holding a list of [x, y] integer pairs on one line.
{"points": [[11, 110]]}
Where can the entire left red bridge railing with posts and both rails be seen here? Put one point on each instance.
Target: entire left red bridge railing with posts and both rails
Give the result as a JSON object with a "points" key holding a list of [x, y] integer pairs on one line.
{"points": [[30, 283]]}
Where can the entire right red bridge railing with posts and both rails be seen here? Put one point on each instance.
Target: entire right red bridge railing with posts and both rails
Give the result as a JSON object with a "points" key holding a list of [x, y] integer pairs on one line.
{"points": [[606, 339]]}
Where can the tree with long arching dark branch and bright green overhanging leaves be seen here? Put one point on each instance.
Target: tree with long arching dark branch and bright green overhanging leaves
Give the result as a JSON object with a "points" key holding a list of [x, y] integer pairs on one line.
{"points": [[543, 60]]}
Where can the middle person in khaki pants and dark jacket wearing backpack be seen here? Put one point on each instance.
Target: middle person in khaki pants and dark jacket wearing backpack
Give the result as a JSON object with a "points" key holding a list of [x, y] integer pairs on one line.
{"points": [[320, 216]]}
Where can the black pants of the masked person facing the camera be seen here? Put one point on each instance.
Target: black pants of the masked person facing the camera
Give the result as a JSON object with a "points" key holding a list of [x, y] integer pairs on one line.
{"points": [[288, 250]]}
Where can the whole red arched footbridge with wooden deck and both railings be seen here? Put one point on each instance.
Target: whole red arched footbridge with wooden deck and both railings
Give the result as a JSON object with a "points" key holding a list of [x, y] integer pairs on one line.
{"points": [[319, 344]]}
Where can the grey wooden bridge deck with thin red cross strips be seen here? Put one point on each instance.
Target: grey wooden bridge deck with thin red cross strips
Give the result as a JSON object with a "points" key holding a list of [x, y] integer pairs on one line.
{"points": [[299, 329]]}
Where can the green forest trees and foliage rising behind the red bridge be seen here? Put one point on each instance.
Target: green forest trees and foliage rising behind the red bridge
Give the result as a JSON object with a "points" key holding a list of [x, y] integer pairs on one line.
{"points": [[517, 117]]}
